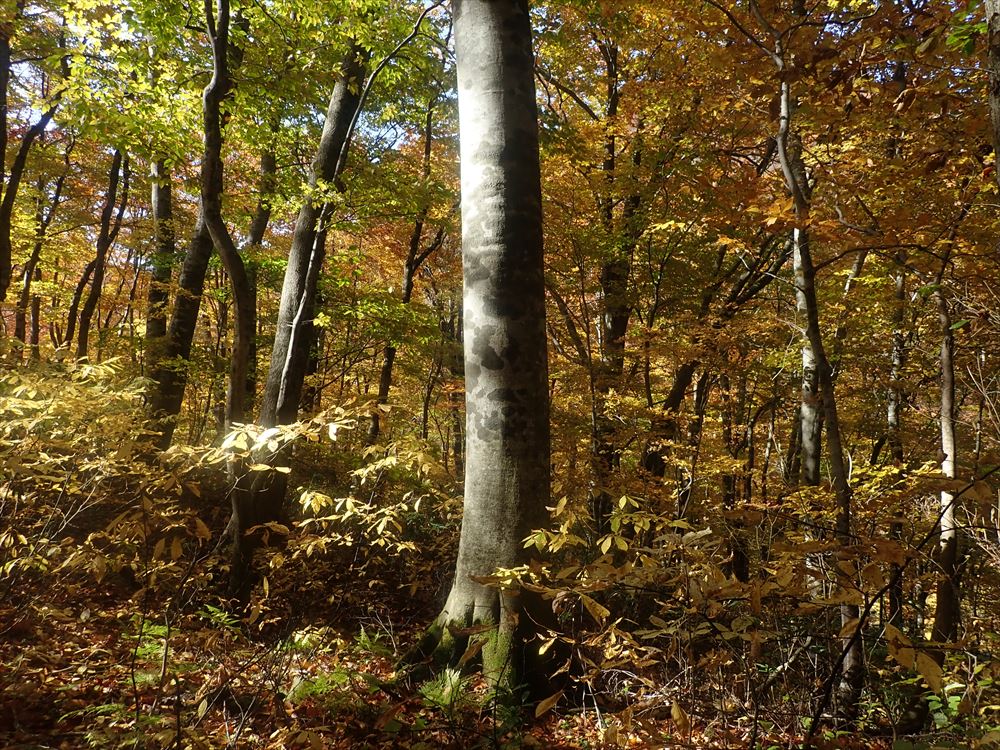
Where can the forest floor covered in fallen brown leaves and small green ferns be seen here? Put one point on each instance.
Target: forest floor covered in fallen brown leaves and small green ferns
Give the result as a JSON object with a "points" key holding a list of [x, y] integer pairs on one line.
{"points": [[109, 665]]}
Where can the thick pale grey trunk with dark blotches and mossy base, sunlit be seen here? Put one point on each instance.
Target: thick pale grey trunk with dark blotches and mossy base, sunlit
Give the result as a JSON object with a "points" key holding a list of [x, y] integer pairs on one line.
{"points": [[507, 416]]}
